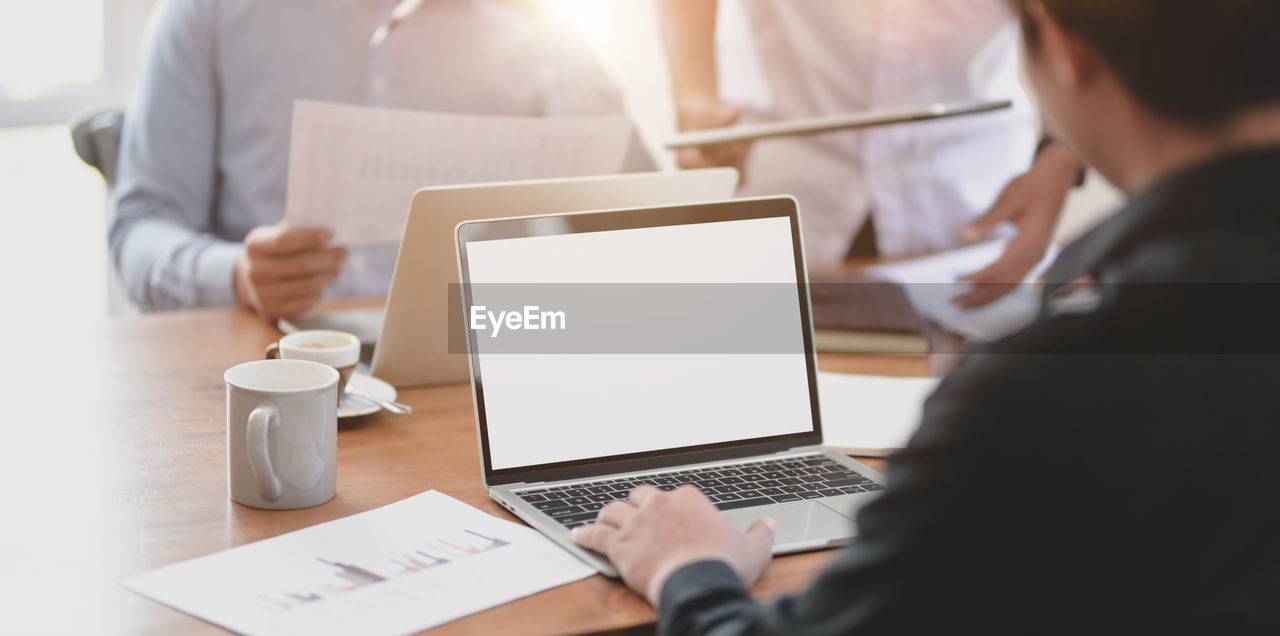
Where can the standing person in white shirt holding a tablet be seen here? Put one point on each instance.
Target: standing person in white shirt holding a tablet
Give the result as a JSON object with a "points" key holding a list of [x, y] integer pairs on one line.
{"points": [[926, 186]]}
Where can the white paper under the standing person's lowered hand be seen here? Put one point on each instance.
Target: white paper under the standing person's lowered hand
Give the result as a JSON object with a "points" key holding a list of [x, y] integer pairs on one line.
{"points": [[931, 283]]}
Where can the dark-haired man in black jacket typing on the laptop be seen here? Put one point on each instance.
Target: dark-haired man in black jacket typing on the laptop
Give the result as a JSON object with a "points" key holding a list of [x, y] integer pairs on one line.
{"points": [[1104, 472]]}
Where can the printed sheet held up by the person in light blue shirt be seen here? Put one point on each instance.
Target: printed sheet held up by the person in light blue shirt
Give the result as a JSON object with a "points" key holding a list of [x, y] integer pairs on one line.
{"points": [[355, 170]]}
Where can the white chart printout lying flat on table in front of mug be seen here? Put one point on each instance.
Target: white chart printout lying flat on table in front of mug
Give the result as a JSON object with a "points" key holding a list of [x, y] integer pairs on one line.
{"points": [[395, 570]]}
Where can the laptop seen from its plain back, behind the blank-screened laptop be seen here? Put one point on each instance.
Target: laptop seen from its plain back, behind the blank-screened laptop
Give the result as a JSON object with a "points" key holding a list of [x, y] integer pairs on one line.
{"points": [[413, 335]]}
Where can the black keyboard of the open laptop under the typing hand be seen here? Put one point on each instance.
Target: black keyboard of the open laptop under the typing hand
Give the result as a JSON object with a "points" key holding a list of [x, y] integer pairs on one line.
{"points": [[729, 487]]}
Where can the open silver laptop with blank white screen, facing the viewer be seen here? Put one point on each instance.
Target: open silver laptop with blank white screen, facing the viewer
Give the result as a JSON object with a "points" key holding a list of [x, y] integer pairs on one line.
{"points": [[662, 346]]}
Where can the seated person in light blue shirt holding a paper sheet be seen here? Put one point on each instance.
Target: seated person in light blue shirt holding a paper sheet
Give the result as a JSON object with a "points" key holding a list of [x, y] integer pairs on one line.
{"points": [[200, 195]]}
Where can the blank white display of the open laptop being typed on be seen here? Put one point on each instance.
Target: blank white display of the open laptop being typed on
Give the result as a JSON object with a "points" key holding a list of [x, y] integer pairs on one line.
{"points": [[638, 341]]}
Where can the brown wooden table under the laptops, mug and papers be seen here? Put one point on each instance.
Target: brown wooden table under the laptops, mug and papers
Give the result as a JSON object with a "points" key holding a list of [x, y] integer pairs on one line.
{"points": [[115, 464]]}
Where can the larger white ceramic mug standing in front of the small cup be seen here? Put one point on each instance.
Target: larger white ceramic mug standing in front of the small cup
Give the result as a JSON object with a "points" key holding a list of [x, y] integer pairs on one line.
{"points": [[282, 433]]}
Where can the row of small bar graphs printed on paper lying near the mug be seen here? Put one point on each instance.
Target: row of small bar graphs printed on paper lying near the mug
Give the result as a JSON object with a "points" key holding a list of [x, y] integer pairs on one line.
{"points": [[348, 578]]}
